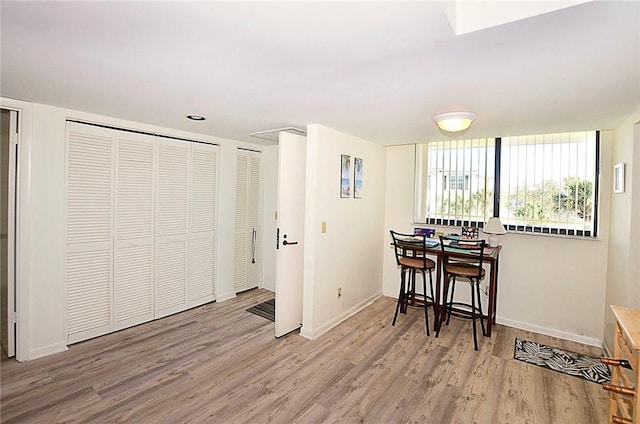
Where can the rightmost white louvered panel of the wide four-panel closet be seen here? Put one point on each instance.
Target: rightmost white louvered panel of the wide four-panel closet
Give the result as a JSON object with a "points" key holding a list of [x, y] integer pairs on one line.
{"points": [[203, 237]]}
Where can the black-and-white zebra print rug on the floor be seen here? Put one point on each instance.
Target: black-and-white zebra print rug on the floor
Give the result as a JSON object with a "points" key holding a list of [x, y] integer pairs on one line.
{"points": [[553, 358]]}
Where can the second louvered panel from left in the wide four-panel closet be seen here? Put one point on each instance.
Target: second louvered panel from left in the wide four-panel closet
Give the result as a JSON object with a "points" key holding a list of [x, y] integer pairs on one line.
{"points": [[134, 230]]}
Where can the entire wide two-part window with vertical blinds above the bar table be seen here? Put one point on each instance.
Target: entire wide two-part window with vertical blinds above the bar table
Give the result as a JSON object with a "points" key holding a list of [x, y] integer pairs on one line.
{"points": [[538, 183]]}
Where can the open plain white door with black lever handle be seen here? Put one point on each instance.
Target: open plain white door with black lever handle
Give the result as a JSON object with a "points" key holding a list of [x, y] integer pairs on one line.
{"points": [[290, 243]]}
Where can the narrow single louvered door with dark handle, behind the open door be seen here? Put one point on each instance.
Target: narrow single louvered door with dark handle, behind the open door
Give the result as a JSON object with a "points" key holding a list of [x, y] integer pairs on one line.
{"points": [[248, 221]]}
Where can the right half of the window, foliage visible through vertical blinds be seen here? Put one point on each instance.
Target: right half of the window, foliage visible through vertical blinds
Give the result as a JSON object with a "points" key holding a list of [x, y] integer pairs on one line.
{"points": [[547, 183]]}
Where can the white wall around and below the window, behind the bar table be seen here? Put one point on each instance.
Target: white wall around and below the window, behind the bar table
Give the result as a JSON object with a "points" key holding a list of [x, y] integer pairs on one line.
{"points": [[550, 285]]}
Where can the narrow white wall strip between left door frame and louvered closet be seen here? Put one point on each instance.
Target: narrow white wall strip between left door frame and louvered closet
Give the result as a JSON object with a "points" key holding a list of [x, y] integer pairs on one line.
{"points": [[46, 321]]}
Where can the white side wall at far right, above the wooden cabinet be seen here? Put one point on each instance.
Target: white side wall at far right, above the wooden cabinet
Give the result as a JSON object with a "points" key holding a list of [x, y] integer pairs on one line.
{"points": [[623, 277]]}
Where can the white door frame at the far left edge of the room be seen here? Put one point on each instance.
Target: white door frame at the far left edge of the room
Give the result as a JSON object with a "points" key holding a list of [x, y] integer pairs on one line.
{"points": [[22, 229]]}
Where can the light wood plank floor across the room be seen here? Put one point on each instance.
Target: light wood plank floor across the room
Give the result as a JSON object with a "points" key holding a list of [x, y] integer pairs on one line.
{"points": [[221, 364]]}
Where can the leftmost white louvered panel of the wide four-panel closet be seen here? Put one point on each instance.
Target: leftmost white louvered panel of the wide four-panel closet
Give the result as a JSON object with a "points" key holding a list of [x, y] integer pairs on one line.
{"points": [[88, 265]]}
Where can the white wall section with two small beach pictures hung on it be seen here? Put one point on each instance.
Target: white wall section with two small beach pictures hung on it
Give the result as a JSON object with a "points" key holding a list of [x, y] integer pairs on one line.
{"points": [[349, 254]]}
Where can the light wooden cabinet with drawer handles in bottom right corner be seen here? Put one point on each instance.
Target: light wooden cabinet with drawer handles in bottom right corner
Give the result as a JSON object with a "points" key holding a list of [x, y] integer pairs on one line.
{"points": [[624, 405]]}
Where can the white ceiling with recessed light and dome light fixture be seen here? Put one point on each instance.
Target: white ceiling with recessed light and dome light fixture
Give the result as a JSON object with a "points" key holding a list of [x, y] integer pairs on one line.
{"points": [[377, 70]]}
